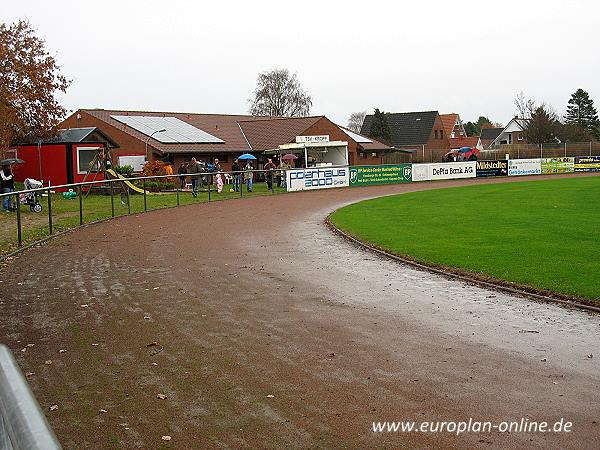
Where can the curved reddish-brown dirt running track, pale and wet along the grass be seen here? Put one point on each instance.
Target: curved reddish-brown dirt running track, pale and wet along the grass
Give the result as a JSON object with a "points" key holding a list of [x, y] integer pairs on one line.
{"points": [[257, 298]]}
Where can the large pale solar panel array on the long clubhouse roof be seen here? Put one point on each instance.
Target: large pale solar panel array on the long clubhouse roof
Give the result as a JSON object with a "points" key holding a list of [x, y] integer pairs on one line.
{"points": [[176, 131]]}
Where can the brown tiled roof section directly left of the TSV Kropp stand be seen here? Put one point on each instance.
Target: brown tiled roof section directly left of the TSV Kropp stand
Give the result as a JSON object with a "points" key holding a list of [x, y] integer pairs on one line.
{"points": [[268, 134]]}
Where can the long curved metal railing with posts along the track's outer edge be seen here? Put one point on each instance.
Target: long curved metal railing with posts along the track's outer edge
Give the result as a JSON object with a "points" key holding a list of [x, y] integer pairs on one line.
{"points": [[125, 186]]}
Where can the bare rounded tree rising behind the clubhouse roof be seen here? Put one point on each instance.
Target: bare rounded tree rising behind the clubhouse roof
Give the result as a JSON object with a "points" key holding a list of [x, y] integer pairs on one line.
{"points": [[279, 94]]}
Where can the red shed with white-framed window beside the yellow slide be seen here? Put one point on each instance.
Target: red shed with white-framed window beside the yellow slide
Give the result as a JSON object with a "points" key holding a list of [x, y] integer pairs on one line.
{"points": [[65, 159]]}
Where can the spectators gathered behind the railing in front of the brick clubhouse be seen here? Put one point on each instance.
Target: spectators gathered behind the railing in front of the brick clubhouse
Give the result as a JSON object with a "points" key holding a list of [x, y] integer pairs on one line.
{"points": [[200, 172]]}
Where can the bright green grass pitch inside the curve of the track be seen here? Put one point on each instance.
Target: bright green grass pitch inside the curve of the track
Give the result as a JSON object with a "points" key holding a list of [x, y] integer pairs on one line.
{"points": [[540, 234]]}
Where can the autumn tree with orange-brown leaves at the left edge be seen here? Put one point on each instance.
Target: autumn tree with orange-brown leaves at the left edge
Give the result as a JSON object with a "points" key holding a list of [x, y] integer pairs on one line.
{"points": [[29, 80]]}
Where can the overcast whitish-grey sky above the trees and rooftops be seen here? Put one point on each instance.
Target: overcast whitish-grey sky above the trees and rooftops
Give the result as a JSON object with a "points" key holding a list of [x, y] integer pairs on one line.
{"points": [[470, 57]]}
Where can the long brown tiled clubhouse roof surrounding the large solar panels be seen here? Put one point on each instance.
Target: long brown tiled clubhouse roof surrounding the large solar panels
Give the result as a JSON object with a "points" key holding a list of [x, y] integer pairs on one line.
{"points": [[222, 126]]}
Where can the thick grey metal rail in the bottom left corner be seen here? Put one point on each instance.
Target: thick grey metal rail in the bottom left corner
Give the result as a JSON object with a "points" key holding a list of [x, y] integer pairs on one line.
{"points": [[22, 423]]}
